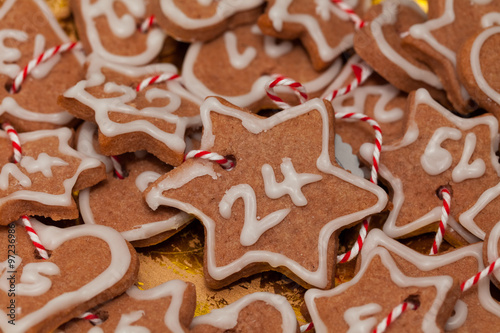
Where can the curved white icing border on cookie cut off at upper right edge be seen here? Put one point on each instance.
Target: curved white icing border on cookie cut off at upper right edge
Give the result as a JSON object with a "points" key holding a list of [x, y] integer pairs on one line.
{"points": [[476, 63]]}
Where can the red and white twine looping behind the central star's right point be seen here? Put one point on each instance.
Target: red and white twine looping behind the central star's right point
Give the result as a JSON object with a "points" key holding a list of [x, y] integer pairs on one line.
{"points": [[349, 255]]}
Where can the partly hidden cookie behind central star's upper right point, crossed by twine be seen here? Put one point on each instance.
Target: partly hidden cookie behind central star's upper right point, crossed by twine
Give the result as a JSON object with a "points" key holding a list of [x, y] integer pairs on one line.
{"points": [[376, 98]]}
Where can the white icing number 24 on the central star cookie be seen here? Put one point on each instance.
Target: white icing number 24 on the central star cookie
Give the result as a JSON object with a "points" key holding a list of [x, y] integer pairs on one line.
{"points": [[292, 184]]}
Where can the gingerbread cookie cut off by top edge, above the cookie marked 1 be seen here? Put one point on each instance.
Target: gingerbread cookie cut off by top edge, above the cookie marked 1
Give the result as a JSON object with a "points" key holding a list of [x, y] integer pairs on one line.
{"points": [[203, 20]]}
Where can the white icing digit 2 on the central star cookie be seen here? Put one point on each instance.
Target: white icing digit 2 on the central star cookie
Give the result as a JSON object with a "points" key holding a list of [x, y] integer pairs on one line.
{"points": [[253, 227]]}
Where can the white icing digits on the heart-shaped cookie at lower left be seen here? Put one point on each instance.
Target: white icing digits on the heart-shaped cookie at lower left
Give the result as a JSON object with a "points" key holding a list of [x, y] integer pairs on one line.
{"points": [[31, 283]]}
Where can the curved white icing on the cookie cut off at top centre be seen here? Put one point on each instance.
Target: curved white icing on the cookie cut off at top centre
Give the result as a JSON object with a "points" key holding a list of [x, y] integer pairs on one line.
{"points": [[225, 9]]}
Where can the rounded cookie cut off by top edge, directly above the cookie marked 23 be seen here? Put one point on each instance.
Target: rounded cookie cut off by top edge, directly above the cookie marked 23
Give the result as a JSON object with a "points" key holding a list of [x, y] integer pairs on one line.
{"points": [[109, 28]]}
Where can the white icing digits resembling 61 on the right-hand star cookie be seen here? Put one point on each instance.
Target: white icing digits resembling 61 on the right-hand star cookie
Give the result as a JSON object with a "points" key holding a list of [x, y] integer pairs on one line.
{"points": [[435, 159]]}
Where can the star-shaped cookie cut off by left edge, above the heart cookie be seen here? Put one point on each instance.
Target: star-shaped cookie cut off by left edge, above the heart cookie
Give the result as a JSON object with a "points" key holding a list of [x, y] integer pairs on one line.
{"points": [[43, 181]]}
